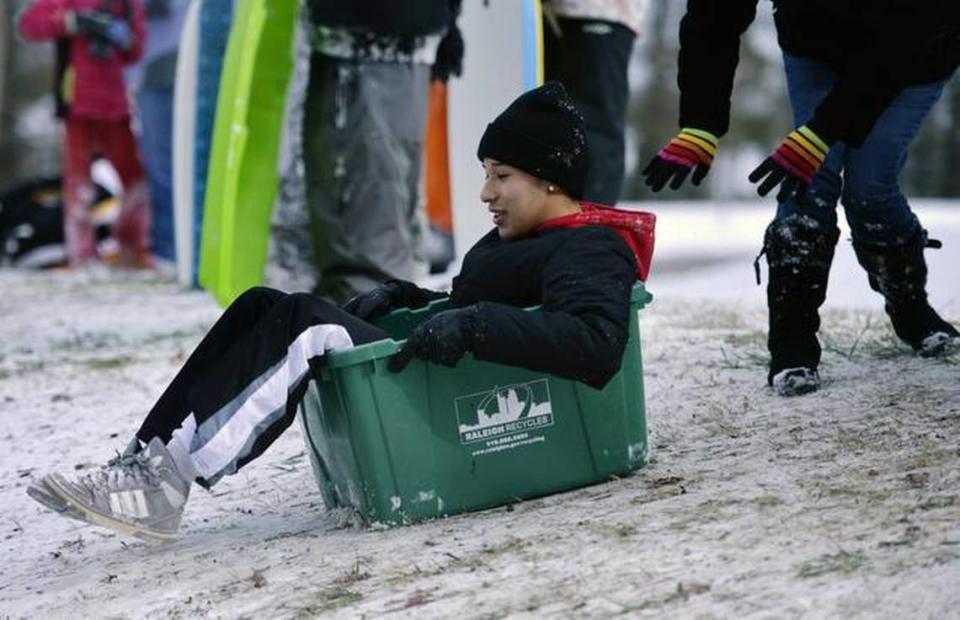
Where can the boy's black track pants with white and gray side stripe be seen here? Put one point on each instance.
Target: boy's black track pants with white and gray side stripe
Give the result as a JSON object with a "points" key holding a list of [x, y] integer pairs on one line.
{"points": [[241, 386]]}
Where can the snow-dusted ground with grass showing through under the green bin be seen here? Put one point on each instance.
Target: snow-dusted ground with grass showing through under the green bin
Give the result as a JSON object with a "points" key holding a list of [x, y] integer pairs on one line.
{"points": [[841, 503]]}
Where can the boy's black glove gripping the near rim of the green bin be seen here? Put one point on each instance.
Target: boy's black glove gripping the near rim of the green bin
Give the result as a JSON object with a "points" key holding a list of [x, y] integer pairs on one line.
{"points": [[442, 339]]}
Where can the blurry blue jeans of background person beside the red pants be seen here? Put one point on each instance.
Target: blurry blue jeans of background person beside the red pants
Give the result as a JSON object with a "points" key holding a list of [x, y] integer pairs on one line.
{"points": [[155, 107]]}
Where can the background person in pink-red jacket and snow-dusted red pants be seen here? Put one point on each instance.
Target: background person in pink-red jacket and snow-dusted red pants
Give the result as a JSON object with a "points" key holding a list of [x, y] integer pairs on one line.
{"points": [[95, 39]]}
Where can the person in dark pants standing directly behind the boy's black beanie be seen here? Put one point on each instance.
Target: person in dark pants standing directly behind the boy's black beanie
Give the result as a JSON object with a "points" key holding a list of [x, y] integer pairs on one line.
{"points": [[587, 46]]}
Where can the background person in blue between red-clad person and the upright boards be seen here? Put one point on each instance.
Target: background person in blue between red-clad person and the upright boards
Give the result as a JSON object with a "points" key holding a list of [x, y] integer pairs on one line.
{"points": [[151, 82]]}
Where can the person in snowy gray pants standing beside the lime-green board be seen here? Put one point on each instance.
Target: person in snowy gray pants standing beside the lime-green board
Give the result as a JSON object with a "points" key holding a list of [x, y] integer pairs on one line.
{"points": [[363, 133]]}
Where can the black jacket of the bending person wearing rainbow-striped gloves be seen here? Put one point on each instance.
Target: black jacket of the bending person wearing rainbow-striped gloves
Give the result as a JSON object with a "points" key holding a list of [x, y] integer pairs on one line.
{"points": [[877, 48]]}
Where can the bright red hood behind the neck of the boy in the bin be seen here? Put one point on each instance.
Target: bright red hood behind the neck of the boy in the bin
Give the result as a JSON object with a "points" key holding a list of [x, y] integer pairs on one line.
{"points": [[635, 227]]}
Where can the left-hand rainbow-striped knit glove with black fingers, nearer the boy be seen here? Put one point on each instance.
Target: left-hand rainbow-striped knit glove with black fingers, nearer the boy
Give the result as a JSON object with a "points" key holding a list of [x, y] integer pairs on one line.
{"points": [[691, 149]]}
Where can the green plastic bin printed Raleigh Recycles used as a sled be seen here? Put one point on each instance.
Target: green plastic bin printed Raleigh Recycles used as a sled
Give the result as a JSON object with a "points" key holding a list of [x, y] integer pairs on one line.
{"points": [[433, 441]]}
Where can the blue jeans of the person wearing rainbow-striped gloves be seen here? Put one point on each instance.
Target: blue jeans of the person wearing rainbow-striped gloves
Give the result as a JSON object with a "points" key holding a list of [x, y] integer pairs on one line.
{"points": [[866, 180]]}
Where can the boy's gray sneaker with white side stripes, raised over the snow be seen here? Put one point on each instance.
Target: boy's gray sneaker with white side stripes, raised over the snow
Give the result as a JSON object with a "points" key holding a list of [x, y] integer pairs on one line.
{"points": [[140, 494]]}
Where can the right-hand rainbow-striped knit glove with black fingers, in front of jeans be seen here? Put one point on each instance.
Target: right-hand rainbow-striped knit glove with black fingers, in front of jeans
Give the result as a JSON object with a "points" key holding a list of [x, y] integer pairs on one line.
{"points": [[792, 165]]}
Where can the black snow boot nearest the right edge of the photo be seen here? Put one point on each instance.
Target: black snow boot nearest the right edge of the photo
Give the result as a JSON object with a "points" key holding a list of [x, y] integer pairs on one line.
{"points": [[898, 271]]}
